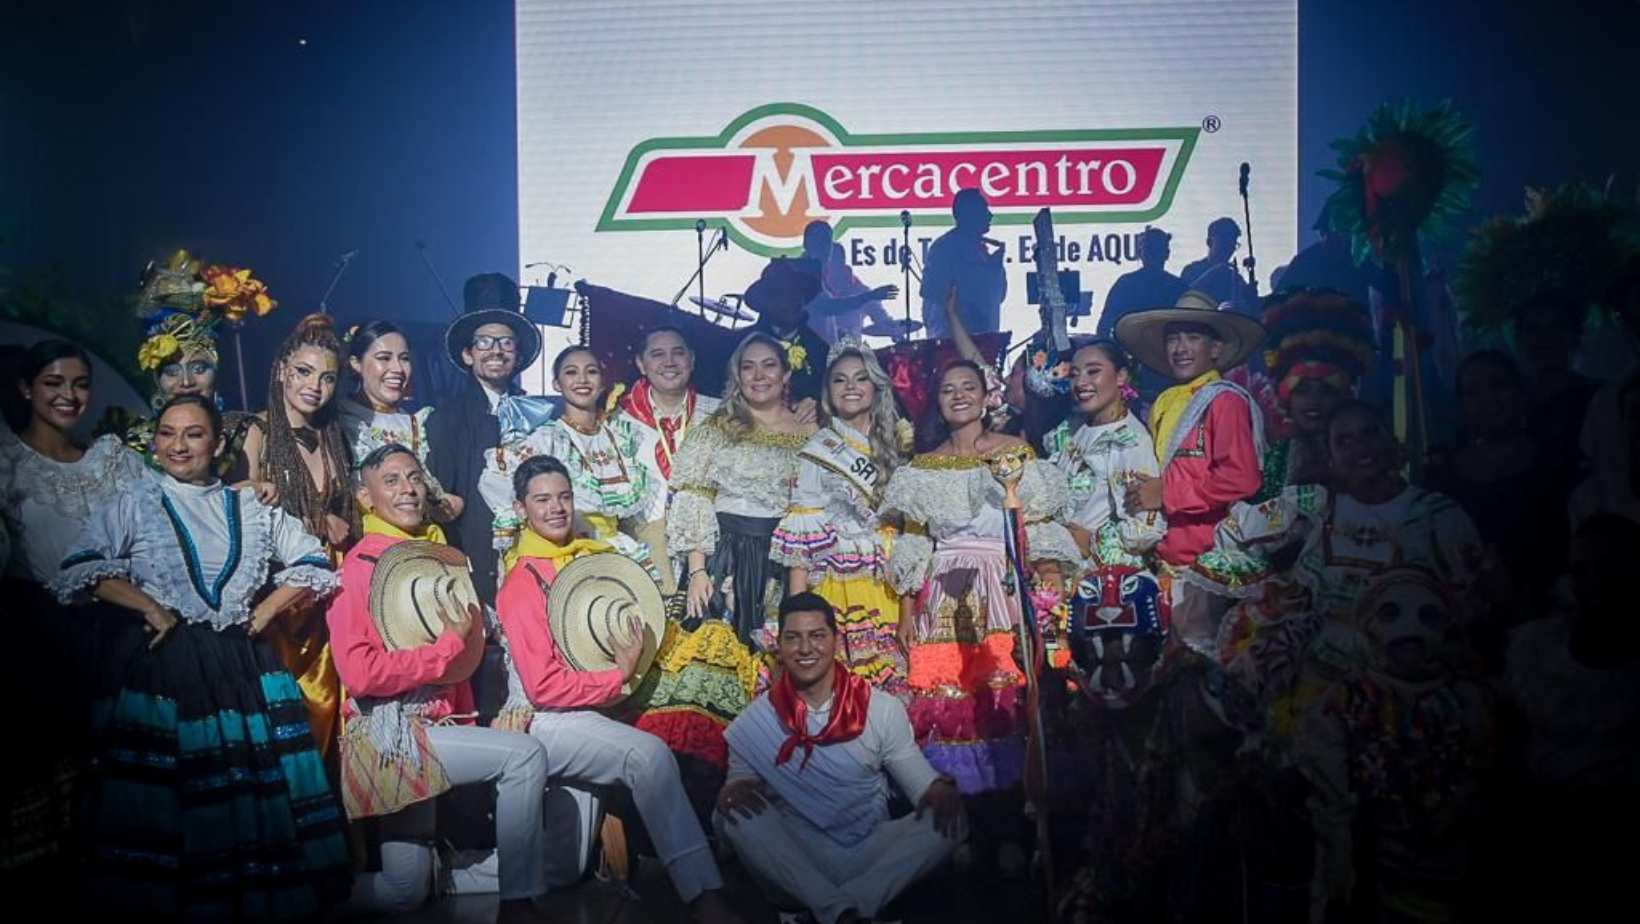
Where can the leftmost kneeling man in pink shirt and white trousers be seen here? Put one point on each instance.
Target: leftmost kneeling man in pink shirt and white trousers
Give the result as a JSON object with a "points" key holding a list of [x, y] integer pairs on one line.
{"points": [[409, 730]]}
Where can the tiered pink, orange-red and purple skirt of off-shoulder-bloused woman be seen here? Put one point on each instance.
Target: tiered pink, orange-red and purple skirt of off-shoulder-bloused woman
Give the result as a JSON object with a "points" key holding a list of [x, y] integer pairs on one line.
{"points": [[965, 682]]}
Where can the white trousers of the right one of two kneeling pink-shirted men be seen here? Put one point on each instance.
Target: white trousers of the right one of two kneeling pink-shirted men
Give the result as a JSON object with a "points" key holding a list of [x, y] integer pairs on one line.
{"points": [[590, 748]]}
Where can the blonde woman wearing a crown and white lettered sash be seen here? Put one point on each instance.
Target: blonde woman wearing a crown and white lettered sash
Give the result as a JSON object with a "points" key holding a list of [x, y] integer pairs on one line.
{"points": [[832, 539]]}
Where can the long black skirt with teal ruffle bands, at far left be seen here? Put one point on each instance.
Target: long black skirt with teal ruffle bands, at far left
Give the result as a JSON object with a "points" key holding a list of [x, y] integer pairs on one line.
{"points": [[207, 798]]}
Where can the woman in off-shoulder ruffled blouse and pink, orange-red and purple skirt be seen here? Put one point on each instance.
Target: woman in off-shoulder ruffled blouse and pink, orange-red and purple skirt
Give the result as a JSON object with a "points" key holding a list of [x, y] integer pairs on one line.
{"points": [[960, 602]]}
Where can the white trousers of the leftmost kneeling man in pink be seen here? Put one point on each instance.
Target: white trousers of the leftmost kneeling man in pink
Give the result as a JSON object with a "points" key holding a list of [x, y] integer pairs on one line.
{"points": [[517, 766]]}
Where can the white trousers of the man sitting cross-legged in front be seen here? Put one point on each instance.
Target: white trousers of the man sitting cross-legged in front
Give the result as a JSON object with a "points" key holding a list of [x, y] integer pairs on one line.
{"points": [[801, 867]]}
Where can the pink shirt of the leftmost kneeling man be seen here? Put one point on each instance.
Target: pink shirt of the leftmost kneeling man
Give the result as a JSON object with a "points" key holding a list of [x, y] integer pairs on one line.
{"points": [[365, 662]]}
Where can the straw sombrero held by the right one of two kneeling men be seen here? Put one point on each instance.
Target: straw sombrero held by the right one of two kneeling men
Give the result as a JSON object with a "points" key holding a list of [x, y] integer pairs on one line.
{"points": [[588, 608]]}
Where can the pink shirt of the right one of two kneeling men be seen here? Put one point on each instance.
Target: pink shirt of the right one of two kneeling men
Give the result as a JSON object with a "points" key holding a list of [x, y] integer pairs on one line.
{"points": [[549, 682]]}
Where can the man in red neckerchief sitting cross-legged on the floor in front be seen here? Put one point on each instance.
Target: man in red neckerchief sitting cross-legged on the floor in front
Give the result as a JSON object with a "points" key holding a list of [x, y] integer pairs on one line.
{"points": [[808, 797]]}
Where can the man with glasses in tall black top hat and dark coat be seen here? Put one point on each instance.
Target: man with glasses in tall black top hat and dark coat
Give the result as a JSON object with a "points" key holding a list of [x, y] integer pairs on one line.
{"points": [[493, 344]]}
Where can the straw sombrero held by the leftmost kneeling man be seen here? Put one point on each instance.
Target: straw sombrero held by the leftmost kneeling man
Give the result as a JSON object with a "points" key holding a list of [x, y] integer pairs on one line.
{"points": [[412, 582]]}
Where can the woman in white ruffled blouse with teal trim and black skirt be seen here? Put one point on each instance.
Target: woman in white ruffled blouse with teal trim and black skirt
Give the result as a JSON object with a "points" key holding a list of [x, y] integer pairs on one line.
{"points": [[207, 769]]}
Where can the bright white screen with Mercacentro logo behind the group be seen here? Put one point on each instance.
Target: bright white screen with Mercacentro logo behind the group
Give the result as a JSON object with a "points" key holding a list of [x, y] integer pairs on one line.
{"points": [[635, 121]]}
